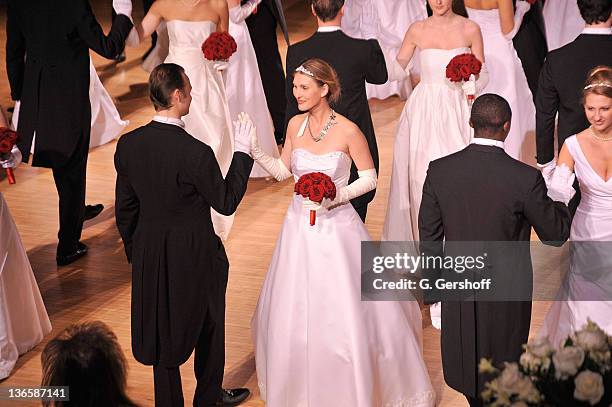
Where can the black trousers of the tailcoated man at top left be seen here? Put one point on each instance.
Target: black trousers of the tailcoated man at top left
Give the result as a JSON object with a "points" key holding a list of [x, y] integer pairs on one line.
{"points": [[70, 183]]}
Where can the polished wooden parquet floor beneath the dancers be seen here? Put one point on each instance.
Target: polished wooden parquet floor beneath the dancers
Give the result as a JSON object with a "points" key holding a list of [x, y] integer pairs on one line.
{"points": [[97, 287]]}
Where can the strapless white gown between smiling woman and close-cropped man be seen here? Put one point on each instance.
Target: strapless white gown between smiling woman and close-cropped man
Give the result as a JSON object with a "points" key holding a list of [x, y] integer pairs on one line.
{"points": [[433, 124]]}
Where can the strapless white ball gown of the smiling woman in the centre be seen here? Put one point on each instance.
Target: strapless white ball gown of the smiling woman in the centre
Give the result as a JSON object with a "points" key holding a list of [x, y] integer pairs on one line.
{"points": [[316, 342]]}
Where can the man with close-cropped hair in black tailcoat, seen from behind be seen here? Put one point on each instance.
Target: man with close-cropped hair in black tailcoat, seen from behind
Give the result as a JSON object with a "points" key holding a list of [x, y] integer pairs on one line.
{"points": [[472, 200]]}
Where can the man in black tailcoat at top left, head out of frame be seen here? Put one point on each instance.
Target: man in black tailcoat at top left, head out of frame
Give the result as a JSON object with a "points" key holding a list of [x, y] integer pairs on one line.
{"points": [[47, 60]]}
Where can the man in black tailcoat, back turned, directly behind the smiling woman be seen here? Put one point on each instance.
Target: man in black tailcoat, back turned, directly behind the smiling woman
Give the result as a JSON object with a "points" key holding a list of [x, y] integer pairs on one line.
{"points": [[356, 62]]}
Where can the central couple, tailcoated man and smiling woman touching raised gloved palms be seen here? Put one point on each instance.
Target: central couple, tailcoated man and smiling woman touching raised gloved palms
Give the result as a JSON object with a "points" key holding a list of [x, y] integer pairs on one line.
{"points": [[315, 342]]}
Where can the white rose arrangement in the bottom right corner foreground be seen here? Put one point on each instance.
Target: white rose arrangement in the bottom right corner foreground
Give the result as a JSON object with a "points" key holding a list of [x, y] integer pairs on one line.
{"points": [[577, 374]]}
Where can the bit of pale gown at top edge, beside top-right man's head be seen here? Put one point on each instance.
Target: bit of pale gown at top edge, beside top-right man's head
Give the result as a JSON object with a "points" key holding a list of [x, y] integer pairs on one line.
{"points": [[562, 22]]}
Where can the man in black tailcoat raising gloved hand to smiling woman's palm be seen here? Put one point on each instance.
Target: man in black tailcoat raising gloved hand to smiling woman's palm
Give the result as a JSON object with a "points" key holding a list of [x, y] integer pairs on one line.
{"points": [[167, 183]]}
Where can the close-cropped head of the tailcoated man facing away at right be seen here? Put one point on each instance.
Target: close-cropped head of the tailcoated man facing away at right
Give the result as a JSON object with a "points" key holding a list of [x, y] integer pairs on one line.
{"points": [[489, 113]]}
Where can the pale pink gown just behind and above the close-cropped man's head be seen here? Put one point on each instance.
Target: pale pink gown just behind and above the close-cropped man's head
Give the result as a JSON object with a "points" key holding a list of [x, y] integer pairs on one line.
{"points": [[507, 79]]}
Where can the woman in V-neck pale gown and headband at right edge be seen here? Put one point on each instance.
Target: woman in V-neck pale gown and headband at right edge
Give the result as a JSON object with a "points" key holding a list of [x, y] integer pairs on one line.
{"points": [[587, 293]]}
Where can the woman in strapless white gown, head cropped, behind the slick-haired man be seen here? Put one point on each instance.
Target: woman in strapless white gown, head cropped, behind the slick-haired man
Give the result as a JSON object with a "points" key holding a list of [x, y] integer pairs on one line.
{"points": [[189, 25]]}
